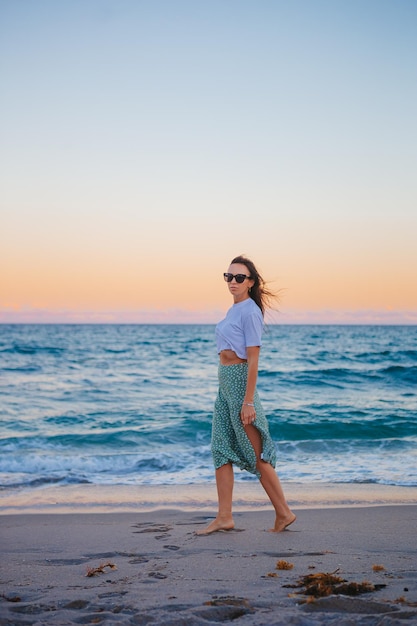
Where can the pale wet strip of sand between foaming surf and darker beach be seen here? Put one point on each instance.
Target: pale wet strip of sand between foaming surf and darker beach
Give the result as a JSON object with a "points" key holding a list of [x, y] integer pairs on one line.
{"points": [[87, 498]]}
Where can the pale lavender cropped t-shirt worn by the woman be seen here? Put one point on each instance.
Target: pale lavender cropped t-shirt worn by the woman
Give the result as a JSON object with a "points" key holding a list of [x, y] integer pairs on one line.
{"points": [[241, 328]]}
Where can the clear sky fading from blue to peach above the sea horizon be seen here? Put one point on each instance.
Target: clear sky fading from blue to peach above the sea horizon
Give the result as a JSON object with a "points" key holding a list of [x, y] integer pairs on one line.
{"points": [[145, 143]]}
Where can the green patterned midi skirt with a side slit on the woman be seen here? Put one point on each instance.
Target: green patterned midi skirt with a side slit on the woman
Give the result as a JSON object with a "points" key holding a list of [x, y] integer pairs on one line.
{"points": [[229, 441]]}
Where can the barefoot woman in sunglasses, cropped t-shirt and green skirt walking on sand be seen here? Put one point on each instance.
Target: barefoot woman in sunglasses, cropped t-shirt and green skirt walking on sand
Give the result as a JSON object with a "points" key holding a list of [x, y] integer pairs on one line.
{"points": [[240, 433]]}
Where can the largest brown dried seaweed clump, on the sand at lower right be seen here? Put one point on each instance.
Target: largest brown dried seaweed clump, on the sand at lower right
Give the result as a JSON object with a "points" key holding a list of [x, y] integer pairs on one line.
{"points": [[325, 584]]}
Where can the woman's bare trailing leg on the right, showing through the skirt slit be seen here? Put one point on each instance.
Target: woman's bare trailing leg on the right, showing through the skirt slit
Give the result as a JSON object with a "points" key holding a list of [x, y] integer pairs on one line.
{"points": [[271, 483]]}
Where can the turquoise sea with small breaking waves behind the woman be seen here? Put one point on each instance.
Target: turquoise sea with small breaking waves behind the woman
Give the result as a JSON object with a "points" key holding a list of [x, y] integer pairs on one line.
{"points": [[131, 404]]}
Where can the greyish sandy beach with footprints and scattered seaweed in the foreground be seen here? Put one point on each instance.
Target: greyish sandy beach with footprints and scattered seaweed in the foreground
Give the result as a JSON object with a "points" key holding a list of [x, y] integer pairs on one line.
{"points": [[151, 567]]}
